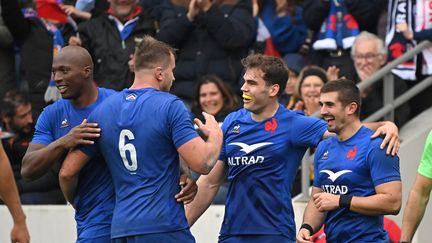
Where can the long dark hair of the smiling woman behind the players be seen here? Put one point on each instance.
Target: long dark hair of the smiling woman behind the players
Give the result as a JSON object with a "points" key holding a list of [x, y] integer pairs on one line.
{"points": [[231, 102]]}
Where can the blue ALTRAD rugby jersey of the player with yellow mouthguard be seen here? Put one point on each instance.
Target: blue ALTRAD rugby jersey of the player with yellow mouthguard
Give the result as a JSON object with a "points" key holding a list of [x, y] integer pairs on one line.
{"points": [[263, 158]]}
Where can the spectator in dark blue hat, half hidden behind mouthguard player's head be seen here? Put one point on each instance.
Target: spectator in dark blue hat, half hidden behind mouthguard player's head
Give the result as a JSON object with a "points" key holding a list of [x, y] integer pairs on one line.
{"points": [[295, 64]]}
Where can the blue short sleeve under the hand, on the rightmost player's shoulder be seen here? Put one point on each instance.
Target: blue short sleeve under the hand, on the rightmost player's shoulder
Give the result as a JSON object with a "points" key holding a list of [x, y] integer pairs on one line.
{"points": [[383, 168]]}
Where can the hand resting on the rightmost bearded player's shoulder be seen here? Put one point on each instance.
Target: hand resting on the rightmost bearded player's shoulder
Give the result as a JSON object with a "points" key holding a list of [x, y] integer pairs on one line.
{"points": [[391, 132]]}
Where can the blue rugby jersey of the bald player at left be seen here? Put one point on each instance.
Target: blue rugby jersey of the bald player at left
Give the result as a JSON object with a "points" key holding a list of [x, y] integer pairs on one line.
{"points": [[94, 199]]}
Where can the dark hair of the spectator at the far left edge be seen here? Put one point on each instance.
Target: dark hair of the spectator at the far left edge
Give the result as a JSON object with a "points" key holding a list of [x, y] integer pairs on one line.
{"points": [[11, 101]]}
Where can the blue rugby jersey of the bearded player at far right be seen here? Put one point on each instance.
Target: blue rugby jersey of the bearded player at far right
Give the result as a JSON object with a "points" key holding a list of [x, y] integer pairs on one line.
{"points": [[354, 167]]}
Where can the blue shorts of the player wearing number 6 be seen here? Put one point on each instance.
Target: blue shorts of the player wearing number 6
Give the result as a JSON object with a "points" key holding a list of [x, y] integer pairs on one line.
{"points": [[183, 236]]}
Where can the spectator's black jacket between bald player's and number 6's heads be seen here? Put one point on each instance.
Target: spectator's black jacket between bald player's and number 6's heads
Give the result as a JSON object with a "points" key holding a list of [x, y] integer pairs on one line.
{"points": [[110, 54]]}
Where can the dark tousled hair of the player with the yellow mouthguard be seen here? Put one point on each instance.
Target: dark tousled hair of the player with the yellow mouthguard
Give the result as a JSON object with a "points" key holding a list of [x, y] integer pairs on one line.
{"points": [[274, 69]]}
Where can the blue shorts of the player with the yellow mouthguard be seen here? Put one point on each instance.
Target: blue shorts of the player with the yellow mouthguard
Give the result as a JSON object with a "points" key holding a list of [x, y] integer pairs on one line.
{"points": [[254, 239]]}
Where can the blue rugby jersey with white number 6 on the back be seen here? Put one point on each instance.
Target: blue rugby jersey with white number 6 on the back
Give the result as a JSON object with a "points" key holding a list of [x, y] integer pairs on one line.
{"points": [[141, 132]]}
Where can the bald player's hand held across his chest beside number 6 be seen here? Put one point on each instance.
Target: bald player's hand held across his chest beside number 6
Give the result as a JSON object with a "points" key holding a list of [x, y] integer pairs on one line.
{"points": [[83, 134]]}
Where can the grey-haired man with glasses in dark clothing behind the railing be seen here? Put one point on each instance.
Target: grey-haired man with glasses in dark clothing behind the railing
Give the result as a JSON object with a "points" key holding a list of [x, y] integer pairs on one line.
{"points": [[369, 54]]}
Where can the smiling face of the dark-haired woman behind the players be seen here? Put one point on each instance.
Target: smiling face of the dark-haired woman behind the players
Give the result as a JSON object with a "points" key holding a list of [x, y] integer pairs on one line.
{"points": [[210, 98]]}
